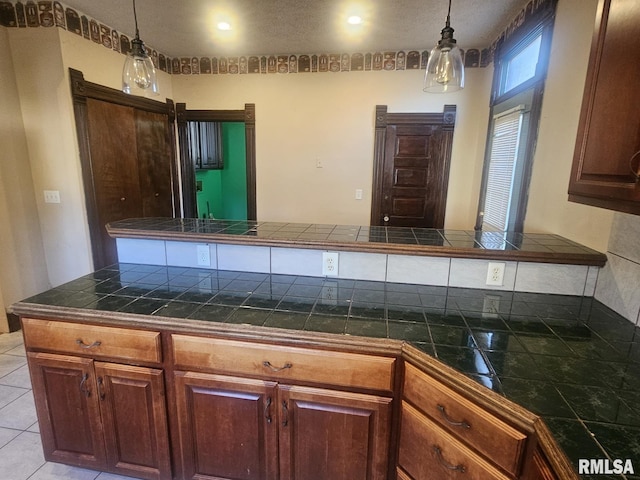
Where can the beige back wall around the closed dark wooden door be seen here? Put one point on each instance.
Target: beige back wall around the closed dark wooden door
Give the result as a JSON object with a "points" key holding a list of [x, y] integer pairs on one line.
{"points": [[329, 117]]}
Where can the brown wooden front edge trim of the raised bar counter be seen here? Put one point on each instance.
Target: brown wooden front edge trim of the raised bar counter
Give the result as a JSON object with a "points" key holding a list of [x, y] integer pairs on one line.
{"points": [[596, 259]]}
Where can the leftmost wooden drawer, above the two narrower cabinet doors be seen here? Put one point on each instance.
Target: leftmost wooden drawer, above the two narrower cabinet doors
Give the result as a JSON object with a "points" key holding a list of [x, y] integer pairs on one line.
{"points": [[92, 340]]}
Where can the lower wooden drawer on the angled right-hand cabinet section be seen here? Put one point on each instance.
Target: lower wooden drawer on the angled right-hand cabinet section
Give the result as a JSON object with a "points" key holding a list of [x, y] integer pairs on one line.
{"points": [[427, 451]]}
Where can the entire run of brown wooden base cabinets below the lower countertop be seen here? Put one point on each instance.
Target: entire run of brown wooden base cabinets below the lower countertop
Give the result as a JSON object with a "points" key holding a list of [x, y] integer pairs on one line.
{"points": [[244, 408]]}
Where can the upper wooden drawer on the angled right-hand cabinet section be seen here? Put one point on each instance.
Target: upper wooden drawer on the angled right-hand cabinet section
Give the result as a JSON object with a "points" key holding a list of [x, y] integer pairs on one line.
{"points": [[469, 422]]}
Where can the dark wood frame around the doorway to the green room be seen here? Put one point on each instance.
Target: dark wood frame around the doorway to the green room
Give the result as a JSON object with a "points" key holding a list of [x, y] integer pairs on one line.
{"points": [[187, 169]]}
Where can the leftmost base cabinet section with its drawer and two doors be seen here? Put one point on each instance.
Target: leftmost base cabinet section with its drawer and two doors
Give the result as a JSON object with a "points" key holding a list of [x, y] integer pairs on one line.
{"points": [[102, 415]]}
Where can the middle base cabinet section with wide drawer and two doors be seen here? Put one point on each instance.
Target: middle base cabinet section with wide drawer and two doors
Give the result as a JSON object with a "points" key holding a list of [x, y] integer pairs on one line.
{"points": [[268, 427]]}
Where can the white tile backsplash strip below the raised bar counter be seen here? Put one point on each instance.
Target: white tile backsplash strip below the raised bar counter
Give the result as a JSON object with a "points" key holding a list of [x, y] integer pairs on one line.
{"points": [[438, 271]]}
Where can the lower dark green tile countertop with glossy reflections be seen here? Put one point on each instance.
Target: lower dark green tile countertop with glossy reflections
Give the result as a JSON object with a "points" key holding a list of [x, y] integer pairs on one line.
{"points": [[568, 359]]}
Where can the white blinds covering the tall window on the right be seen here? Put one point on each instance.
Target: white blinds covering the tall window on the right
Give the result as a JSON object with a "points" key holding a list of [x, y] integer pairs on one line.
{"points": [[505, 144]]}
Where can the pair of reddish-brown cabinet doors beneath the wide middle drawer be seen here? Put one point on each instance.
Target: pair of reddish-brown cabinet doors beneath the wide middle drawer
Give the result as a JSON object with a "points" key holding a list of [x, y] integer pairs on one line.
{"points": [[249, 429]]}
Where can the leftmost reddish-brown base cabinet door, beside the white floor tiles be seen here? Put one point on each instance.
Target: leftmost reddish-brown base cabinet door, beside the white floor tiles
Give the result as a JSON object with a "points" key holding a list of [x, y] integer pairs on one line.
{"points": [[66, 398]]}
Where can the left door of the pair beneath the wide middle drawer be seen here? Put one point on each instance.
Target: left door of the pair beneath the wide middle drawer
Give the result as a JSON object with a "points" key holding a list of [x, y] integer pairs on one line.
{"points": [[227, 427]]}
